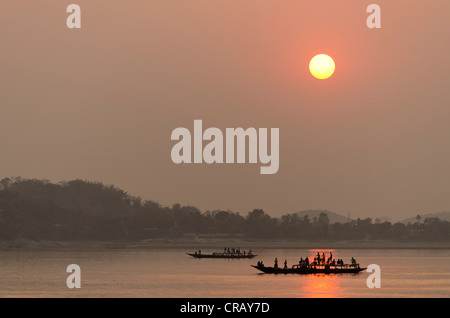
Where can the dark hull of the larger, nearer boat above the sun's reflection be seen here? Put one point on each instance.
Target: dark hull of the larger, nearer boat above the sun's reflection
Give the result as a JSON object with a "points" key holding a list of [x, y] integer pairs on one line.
{"points": [[311, 269]]}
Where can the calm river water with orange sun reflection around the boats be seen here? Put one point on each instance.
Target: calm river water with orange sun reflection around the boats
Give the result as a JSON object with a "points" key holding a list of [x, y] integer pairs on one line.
{"points": [[171, 273]]}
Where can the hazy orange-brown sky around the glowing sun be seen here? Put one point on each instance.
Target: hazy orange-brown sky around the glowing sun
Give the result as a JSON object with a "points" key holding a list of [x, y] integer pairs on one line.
{"points": [[100, 103]]}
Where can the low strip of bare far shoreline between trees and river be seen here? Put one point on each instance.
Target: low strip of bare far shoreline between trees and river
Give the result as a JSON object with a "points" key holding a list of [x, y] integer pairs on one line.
{"points": [[215, 244]]}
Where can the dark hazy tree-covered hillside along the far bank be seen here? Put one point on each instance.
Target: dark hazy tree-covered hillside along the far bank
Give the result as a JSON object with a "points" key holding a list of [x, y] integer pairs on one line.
{"points": [[82, 210]]}
